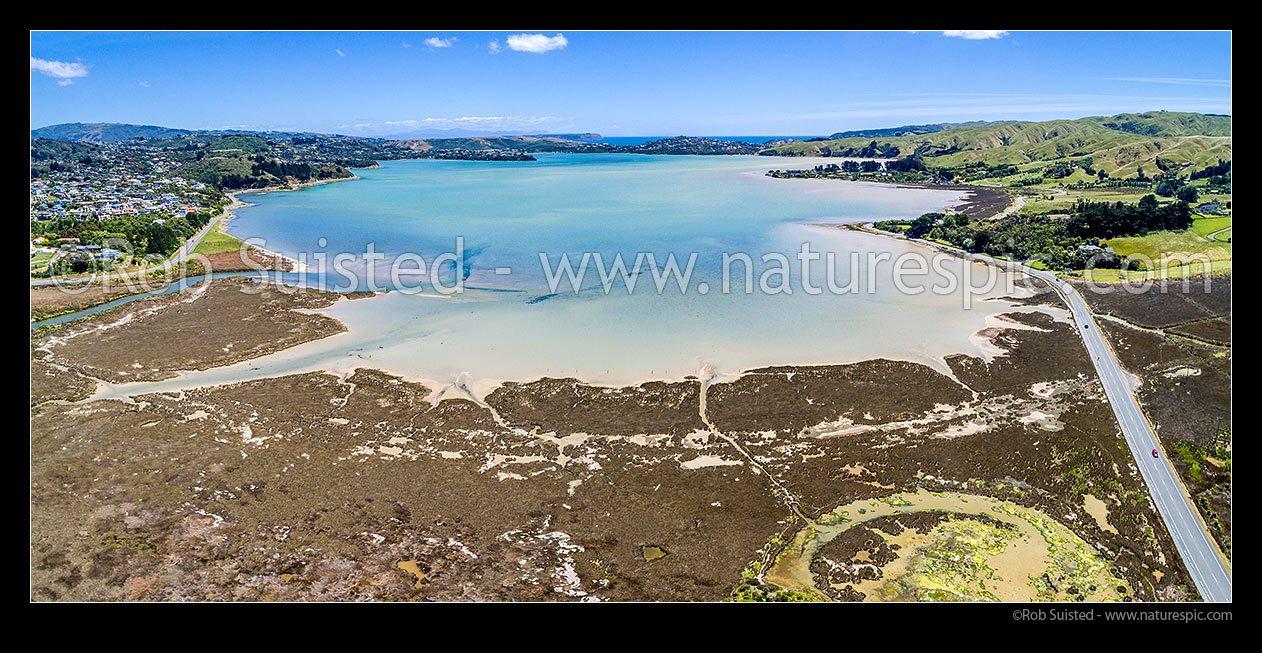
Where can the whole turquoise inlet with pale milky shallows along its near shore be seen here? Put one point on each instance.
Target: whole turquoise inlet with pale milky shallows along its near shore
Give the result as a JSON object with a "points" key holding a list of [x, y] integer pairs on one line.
{"points": [[509, 213]]}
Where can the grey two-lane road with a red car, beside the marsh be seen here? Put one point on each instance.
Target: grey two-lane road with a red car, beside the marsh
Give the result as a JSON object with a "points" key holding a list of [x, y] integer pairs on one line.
{"points": [[1193, 542]]}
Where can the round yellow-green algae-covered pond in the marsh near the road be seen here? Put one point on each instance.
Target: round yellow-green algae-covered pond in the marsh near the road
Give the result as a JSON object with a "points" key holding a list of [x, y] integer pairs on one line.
{"points": [[929, 546]]}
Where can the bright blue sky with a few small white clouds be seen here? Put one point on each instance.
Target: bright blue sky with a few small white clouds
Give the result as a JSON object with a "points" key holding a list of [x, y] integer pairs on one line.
{"points": [[616, 84]]}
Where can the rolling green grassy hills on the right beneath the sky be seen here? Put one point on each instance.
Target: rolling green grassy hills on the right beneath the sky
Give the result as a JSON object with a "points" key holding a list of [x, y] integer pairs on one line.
{"points": [[1115, 145]]}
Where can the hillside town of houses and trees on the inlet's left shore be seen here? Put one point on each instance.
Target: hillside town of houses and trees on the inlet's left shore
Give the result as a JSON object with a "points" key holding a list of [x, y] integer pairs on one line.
{"points": [[97, 205]]}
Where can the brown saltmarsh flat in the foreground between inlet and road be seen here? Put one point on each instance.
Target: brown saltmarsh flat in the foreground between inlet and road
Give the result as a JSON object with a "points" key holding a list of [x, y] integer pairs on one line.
{"points": [[372, 487]]}
